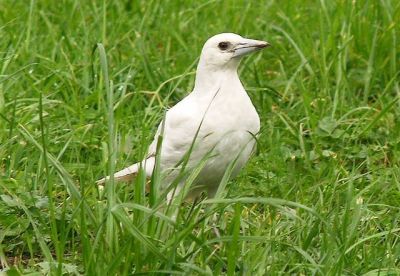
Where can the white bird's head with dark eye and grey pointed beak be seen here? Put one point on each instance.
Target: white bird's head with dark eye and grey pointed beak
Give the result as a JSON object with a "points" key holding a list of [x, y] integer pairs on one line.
{"points": [[225, 50]]}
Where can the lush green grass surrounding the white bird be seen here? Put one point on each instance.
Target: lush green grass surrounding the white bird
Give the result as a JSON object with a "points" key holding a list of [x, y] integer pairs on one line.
{"points": [[83, 85]]}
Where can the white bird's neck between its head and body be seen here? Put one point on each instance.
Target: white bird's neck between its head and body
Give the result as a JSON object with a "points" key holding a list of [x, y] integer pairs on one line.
{"points": [[209, 77]]}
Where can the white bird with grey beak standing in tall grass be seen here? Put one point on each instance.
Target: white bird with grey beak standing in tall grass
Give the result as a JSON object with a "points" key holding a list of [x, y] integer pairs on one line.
{"points": [[216, 124]]}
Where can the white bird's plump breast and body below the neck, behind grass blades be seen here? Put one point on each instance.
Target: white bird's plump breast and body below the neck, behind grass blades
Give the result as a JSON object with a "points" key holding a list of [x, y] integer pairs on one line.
{"points": [[227, 127]]}
